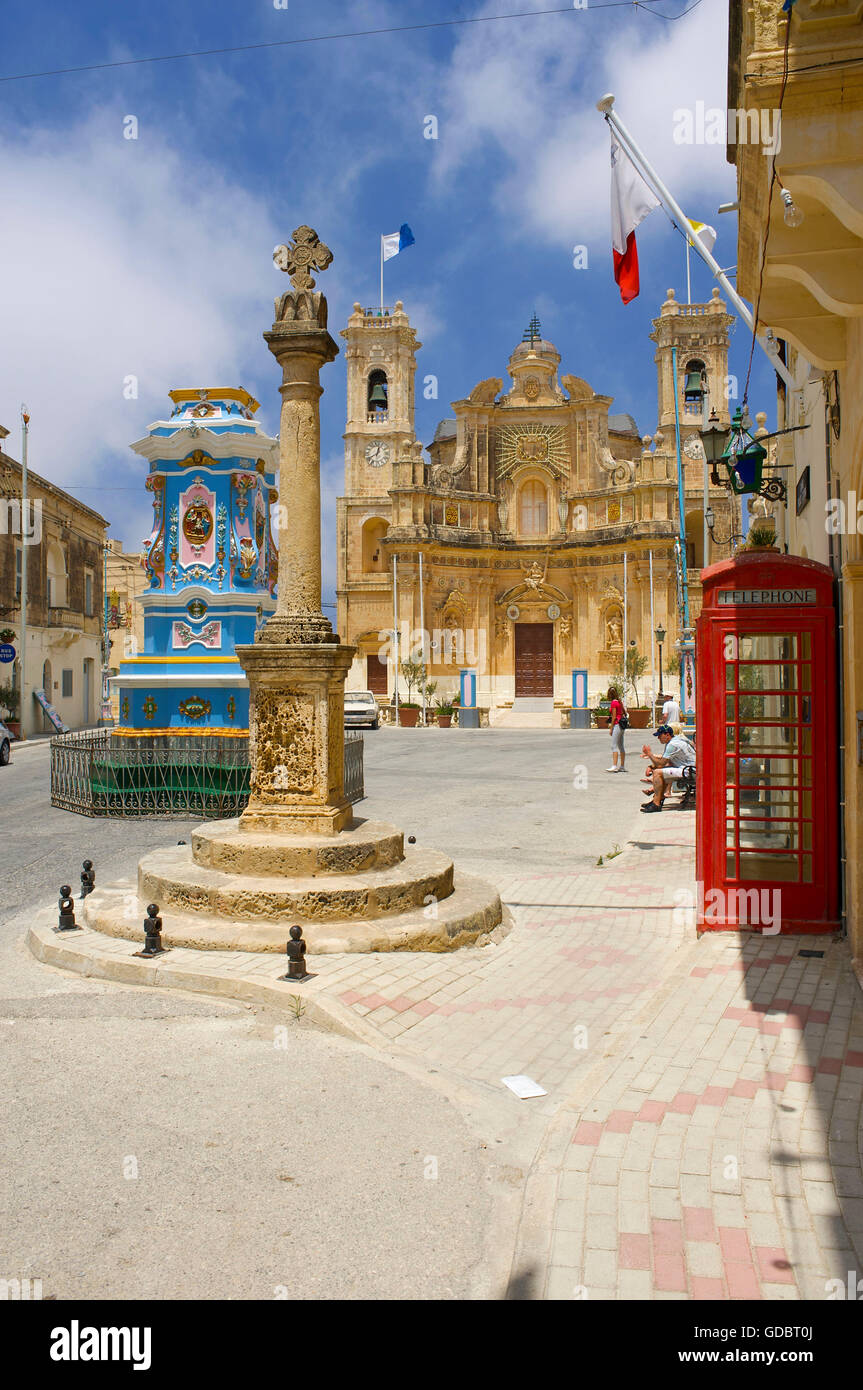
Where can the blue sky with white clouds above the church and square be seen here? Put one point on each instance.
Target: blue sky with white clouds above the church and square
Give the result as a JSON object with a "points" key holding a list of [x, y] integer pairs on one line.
{"points": [[152, 258]]}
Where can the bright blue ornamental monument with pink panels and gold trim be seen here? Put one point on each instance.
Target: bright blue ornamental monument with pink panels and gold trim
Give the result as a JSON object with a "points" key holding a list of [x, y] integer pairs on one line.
{"points": [[212, 568]]}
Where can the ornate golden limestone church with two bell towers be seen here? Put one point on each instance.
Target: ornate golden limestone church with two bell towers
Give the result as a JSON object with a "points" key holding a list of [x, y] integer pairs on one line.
{"points": [[508, 537]]}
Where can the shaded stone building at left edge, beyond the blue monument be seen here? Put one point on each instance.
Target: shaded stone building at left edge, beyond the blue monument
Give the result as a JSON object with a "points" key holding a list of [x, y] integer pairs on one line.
{"points": [[62, 541]]}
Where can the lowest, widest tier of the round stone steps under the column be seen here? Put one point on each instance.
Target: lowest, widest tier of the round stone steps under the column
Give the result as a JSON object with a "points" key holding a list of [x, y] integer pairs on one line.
{"points": [[472, 915]]}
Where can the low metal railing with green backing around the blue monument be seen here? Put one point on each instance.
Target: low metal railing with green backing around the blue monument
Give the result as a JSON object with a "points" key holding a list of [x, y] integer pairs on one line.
{"points": [[97, 774]]}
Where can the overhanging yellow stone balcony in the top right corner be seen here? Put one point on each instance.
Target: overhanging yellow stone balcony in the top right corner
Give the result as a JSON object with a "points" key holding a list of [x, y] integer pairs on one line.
{"points": [[812, 272]]}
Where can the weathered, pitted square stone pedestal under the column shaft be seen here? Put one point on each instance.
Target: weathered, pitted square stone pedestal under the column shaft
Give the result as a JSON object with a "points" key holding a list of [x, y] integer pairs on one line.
{"points": [[297, 737]]}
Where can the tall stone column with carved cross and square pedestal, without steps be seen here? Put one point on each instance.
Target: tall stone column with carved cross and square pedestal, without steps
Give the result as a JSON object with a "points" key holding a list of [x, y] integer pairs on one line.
{"points": [[298, 667]]}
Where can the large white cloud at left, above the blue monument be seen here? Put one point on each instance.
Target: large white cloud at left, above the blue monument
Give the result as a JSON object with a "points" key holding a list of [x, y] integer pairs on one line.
{"points": [[122, 259]]}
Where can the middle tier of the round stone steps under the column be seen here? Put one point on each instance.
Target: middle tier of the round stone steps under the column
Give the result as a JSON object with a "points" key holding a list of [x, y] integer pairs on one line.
{"points": [[176, 882]]}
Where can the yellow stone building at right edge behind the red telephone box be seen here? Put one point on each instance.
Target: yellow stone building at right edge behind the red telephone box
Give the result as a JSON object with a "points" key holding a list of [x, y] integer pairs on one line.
{"points": [[801, 262]]}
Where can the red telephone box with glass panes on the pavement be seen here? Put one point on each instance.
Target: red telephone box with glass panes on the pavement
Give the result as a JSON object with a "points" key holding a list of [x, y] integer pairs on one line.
{"points": [[768, 799]]}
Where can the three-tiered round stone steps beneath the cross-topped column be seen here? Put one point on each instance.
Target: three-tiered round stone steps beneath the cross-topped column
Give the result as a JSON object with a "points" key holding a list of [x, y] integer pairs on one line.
{"points": [[361, 890]]}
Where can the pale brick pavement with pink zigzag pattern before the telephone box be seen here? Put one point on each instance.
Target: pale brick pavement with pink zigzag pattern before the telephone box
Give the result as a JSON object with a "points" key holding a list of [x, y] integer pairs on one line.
{"points": [[704, 1104]]}
